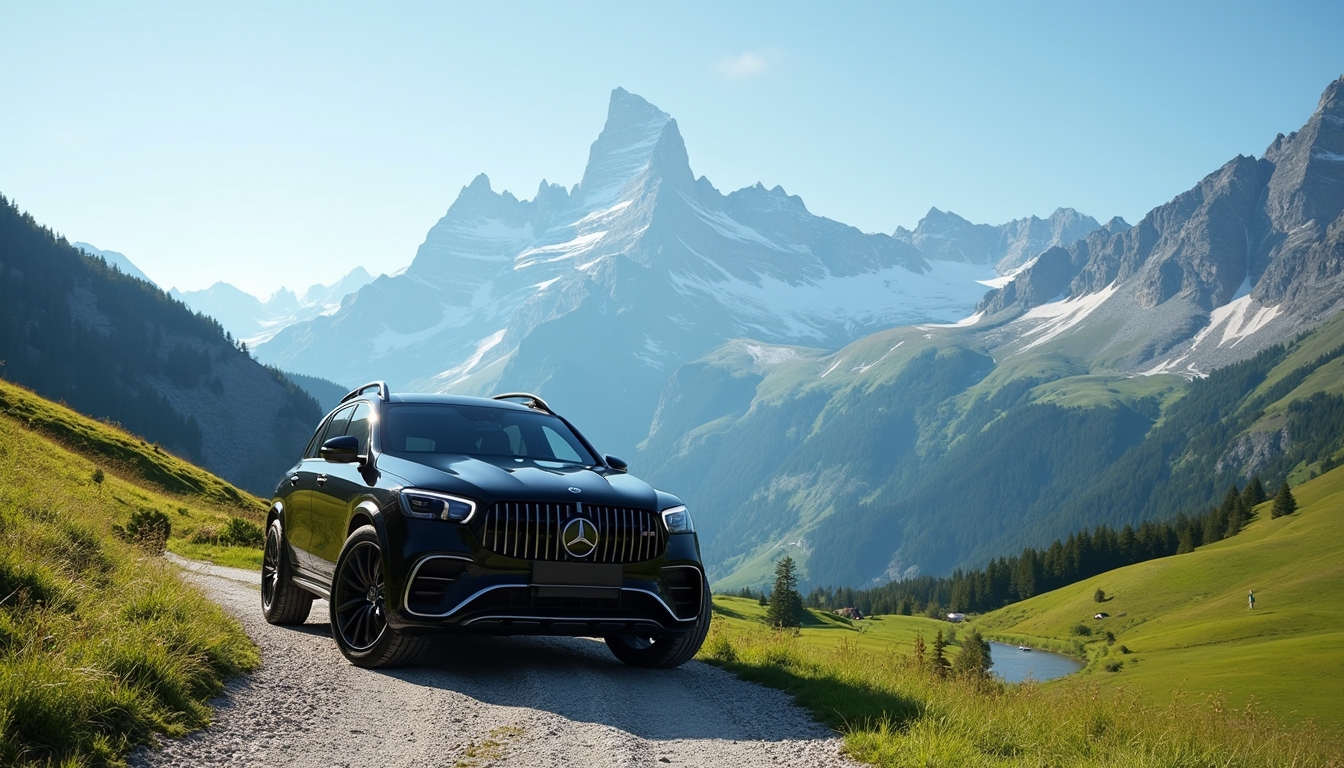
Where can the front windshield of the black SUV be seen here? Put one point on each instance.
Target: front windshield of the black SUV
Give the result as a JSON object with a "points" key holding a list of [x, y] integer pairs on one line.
{"points": [[482, 431]]}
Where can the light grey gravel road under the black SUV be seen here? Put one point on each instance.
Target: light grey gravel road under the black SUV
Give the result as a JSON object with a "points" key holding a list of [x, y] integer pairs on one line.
{"points": [[478, 703]]}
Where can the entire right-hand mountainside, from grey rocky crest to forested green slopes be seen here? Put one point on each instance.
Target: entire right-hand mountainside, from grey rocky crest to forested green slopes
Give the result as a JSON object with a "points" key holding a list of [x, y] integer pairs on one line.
{"points": [[1073, 397]]}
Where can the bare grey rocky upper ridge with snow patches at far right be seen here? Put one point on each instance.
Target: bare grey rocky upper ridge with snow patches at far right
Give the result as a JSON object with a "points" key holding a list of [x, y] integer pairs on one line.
{"points": [[1249, 258]]}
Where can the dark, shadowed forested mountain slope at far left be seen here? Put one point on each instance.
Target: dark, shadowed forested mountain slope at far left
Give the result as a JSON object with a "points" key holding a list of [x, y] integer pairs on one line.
{"points": [[119, 349]]}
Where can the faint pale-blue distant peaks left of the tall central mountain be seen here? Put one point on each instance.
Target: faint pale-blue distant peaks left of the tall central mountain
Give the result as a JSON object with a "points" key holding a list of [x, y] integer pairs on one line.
{"points": [[255, 321]]}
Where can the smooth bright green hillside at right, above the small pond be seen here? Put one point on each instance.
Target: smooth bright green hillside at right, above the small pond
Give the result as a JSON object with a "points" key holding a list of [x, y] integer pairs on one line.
{"points": [[1187, 625]]}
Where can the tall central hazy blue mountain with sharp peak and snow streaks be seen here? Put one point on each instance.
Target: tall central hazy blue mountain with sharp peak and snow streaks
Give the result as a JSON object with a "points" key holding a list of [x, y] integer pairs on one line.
{"points": [[592, 297]]}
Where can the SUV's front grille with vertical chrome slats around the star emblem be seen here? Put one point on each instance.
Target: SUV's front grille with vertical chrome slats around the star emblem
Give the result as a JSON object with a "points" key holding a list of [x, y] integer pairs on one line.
{"points": [[532, 531]]}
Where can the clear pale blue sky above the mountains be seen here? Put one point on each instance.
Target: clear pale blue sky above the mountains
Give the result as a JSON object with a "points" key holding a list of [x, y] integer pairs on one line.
{"points": [[286, 143]]}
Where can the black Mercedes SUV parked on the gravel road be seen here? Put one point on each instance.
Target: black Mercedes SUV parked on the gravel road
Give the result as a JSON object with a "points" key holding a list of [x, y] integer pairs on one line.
{"points": [[416, 514]]}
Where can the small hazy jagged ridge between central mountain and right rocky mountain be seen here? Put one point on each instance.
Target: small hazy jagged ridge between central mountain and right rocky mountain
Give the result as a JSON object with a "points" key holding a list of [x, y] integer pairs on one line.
{"points": [[1006, 247]]}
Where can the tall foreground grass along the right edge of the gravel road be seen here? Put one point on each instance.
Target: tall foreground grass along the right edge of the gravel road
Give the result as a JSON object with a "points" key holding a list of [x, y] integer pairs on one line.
{"points": [[896, 715]]}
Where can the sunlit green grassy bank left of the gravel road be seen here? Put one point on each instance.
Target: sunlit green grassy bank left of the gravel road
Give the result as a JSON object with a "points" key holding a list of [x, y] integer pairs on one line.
{"points": [[101, 644]]}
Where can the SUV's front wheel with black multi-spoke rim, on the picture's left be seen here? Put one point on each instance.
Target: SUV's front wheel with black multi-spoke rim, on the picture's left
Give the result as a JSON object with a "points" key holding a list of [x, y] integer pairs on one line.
{"points": [[360, 622]]}
